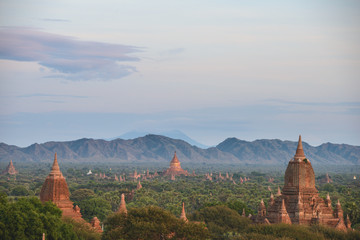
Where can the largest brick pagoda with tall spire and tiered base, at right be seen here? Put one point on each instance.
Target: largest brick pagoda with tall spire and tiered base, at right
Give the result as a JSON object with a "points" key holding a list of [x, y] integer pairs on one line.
{"points": [[299, 201]]}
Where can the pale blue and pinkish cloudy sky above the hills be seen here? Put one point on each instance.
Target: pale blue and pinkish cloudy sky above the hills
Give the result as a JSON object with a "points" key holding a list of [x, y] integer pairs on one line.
{"points": [[211, 69]]}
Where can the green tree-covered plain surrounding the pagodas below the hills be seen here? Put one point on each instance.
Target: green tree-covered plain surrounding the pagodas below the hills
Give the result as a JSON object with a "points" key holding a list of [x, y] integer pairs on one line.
{"points": [[214, 208]]}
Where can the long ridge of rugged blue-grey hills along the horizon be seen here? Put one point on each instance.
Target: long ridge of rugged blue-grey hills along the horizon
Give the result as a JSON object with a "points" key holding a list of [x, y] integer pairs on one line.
{"points": [[157, 148]]}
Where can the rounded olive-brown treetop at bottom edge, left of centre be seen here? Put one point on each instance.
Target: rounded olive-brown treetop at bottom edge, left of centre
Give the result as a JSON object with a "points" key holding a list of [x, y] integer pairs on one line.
{"points": [[151, 223]]}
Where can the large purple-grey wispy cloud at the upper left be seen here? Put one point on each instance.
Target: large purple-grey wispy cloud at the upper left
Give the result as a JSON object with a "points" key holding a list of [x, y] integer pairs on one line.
{"points": [[67, 57]]}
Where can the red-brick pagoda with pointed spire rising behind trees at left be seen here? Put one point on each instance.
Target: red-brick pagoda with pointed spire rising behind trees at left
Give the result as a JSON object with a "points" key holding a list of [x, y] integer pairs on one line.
{"points": [[55, 189]]}
